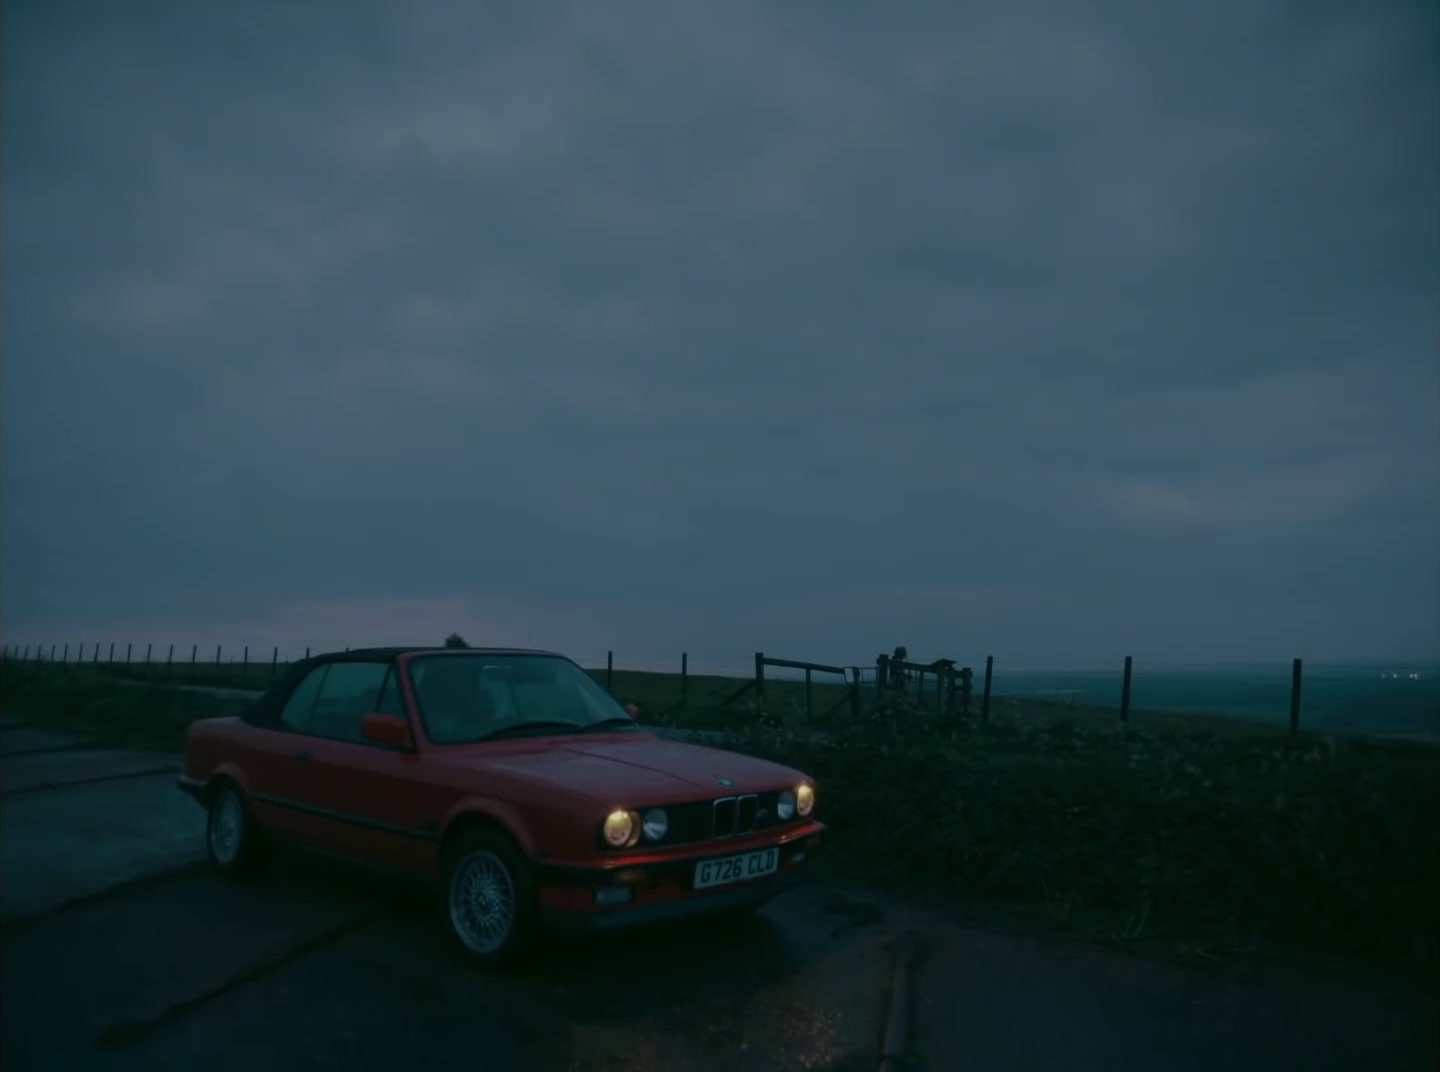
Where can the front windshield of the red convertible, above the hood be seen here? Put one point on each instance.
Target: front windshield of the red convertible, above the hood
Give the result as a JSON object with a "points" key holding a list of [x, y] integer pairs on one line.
{"points": [[474, 697]]}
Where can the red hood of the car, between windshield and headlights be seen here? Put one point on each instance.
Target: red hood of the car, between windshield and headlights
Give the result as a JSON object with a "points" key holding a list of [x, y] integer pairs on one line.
{"points": [[633, 769]]}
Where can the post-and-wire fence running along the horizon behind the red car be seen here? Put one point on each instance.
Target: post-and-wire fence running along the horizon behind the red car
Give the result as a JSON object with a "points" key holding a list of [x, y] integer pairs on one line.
{"points": [[1377, 700]]}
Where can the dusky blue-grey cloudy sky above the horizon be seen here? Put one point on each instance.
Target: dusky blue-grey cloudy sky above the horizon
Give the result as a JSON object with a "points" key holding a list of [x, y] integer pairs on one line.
{"points": [[1040, 331]]}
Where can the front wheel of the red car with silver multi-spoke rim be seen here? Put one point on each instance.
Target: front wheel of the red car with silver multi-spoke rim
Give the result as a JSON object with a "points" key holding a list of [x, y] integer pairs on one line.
{"points": [[490, 901]]}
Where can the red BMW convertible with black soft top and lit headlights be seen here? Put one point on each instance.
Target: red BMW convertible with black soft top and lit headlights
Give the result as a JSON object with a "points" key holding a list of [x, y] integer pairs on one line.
{"points": [[512, 777]]}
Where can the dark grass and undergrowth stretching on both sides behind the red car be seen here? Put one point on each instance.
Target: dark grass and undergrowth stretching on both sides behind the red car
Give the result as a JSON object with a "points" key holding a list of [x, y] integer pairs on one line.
{"points": [[1218, 841]]}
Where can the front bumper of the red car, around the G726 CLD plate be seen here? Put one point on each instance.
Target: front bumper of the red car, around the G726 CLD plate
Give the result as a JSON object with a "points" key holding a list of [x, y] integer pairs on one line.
{"points": [[663, 885]]}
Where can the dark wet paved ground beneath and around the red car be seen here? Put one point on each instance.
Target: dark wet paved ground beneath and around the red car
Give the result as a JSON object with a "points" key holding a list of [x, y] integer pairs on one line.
{"points": [[123, 952]]}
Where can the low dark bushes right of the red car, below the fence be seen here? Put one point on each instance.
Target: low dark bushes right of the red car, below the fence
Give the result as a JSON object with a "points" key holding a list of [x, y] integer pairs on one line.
{"points": [[1310, 844]]}
